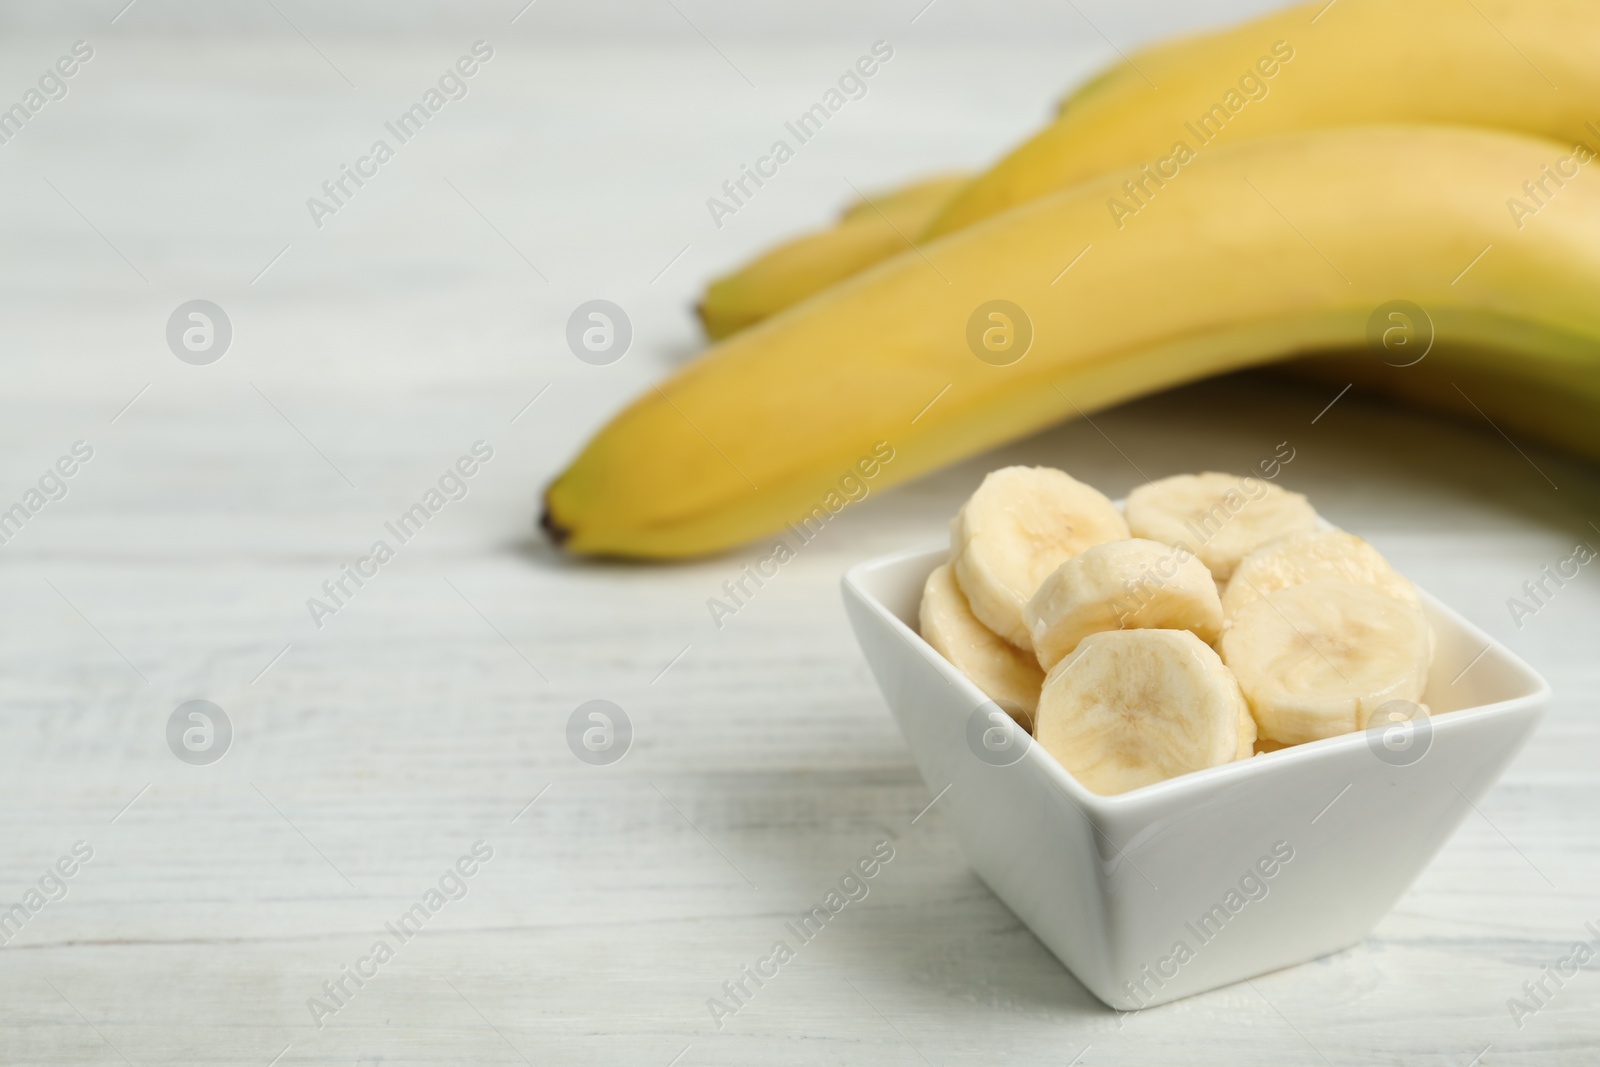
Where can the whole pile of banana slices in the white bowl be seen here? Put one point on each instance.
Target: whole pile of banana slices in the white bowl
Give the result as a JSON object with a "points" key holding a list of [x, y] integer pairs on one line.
{"points": [[1207, 621]]}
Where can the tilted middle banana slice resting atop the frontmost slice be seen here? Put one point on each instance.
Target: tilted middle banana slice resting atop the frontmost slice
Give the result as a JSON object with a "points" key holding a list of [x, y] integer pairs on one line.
{"points": [[1132, 585]]}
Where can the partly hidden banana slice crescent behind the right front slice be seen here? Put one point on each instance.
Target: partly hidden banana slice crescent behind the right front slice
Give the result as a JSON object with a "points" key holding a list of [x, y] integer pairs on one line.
{"points": [[1319, 556]]}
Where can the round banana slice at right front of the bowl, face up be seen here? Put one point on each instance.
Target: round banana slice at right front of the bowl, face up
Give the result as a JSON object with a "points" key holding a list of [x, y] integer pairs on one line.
{"points": [[1318, 660]]}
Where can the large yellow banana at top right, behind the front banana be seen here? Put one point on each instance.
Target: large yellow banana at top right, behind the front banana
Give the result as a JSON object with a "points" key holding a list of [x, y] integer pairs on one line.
{"points": [[1513, 65]]}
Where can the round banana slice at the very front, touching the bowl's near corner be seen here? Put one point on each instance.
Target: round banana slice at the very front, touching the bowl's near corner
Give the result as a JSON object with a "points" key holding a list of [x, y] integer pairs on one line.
{"points": [[1134, 708]]}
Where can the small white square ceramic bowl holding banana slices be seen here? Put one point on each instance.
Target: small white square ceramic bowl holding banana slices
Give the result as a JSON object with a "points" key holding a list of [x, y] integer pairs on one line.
{"points": [[1164, 892]]}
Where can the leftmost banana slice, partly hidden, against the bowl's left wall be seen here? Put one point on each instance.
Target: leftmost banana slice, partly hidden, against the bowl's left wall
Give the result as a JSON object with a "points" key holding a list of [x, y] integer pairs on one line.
{"points": [[1004, 673]]}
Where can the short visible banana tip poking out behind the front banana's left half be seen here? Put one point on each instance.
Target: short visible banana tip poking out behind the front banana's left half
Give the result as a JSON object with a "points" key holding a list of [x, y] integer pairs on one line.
{"points": [[870, 231]]}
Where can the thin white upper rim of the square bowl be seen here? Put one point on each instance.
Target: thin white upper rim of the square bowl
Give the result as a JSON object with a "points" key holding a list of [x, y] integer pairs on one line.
{"points": [[1161, 796]]}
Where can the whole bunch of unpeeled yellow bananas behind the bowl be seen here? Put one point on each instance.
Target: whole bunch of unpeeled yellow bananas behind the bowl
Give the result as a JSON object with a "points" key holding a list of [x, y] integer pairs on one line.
{"points": [[1286, 185]]}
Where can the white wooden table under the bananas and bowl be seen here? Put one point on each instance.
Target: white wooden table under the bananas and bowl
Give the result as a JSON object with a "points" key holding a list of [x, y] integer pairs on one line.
{"points": [[426, 716]]}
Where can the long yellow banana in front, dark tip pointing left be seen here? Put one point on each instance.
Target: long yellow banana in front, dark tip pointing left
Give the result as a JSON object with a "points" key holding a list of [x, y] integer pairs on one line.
{"points": [[1255, 254]]}
